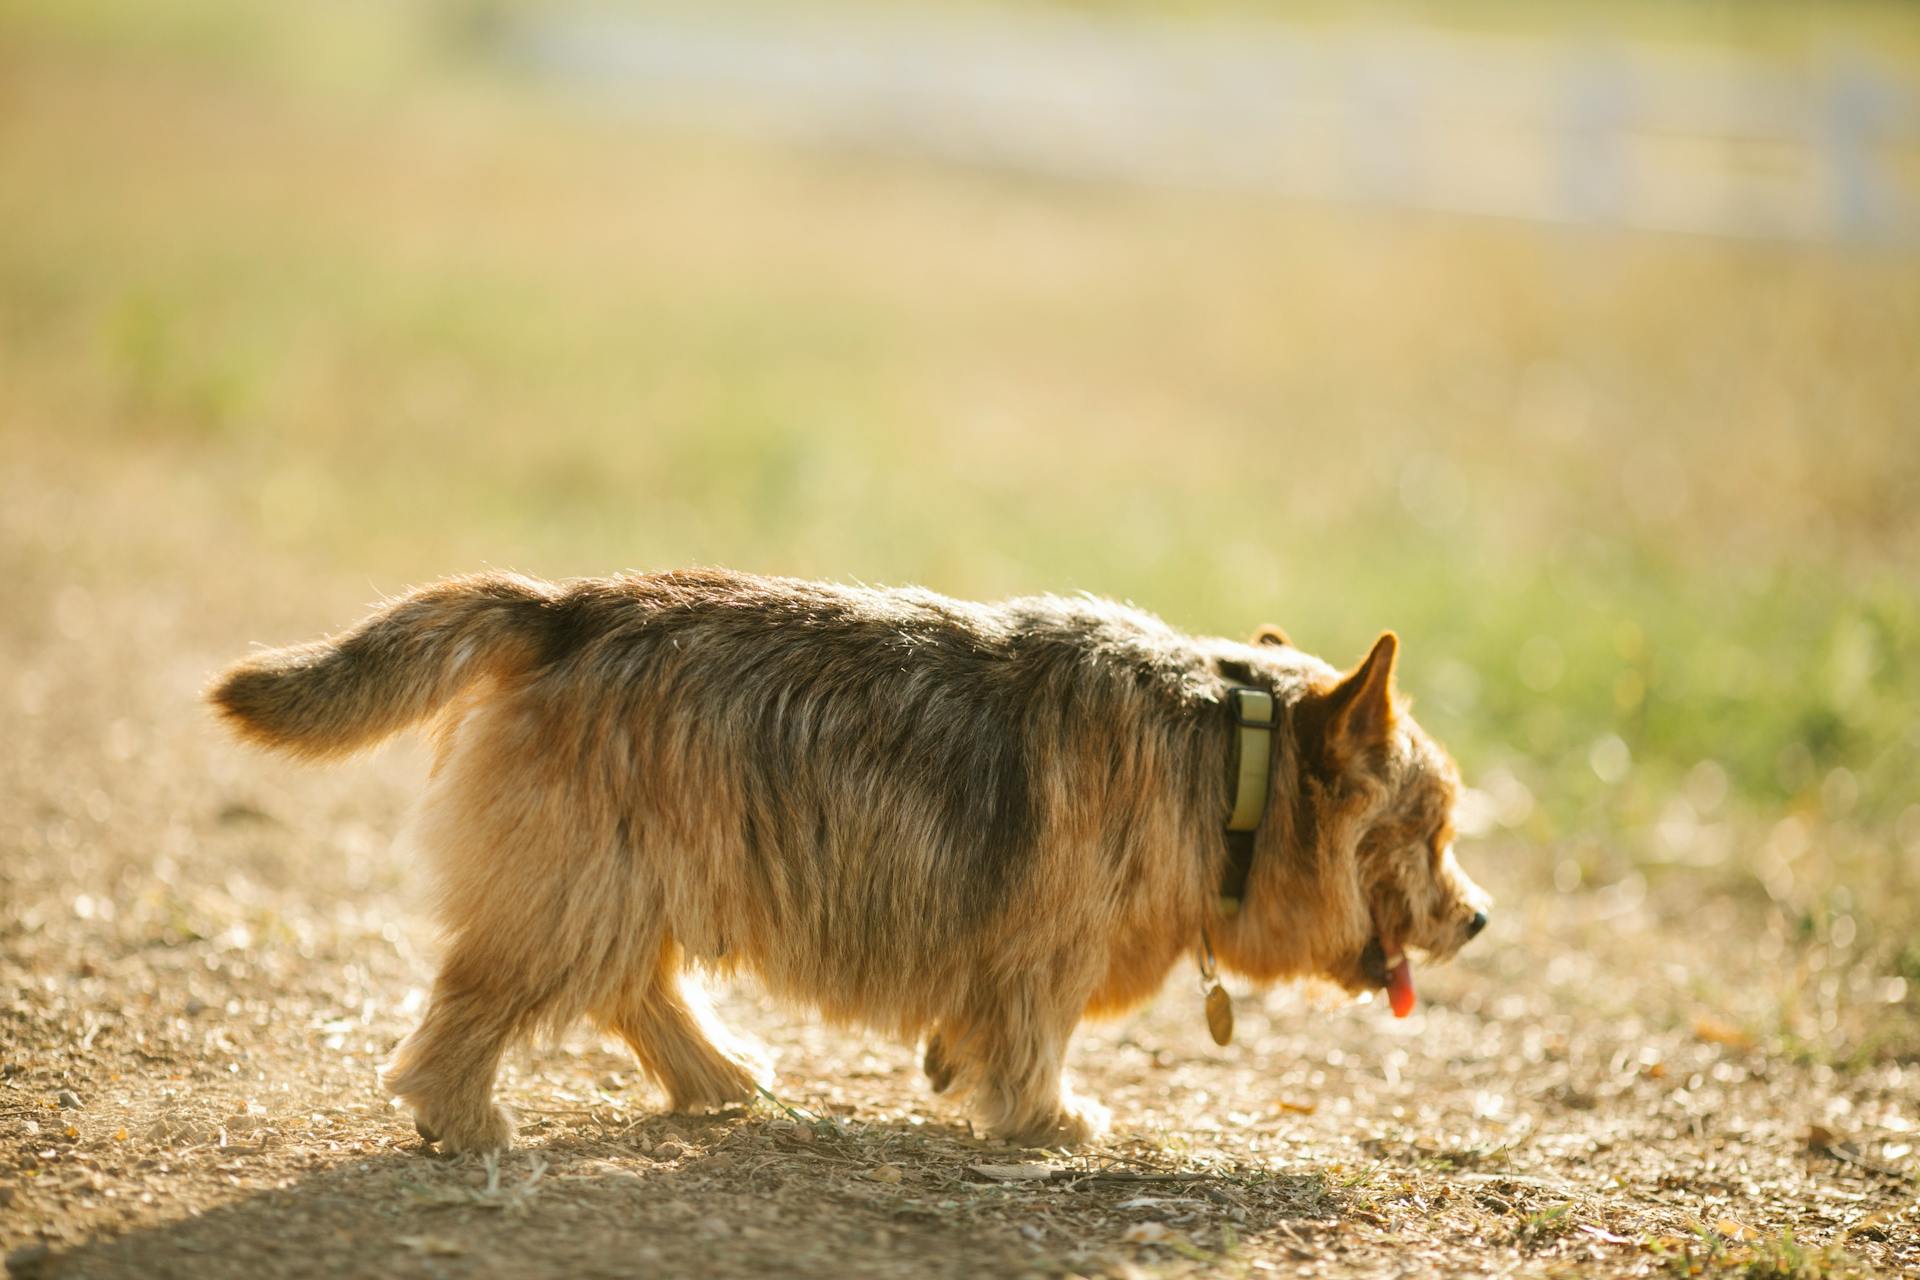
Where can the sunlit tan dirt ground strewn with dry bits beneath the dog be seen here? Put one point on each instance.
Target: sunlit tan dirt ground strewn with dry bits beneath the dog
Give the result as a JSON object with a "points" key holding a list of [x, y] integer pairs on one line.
{"points": [[204, 955]]}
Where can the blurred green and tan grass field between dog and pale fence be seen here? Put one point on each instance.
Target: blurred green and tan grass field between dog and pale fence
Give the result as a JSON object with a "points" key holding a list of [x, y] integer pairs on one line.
{"points": [[1643, 510]]}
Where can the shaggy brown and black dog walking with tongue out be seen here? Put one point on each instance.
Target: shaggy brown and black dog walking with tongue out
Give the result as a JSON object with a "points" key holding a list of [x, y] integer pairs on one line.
{"points": [[971, 822]]}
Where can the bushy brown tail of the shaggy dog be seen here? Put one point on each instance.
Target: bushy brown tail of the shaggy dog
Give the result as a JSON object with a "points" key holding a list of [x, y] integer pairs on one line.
{"points": [[393, 671]]}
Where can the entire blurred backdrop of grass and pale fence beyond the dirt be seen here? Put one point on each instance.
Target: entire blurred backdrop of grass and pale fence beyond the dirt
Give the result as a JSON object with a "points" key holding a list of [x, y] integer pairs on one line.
{"points": [[1577, 343]]}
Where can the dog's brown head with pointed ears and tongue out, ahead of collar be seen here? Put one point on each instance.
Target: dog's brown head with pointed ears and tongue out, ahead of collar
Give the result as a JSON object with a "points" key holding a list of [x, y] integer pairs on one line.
{"points": [[1360, 868]]}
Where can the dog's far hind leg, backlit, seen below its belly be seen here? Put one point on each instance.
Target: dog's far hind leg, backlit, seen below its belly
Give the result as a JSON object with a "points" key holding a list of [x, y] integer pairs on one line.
{"points": [[679, 1041]]}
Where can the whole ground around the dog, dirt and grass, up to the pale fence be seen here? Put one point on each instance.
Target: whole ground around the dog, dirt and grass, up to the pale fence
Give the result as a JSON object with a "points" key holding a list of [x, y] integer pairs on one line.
{"points": [[281, 331]]}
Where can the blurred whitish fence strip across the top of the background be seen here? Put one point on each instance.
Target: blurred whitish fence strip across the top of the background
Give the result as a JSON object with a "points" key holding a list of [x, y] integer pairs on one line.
{"points": [[1562, 131]]}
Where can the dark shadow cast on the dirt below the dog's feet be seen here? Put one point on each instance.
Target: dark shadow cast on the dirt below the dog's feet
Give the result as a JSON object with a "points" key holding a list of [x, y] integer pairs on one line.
{"points": [[729, 1195]]}
